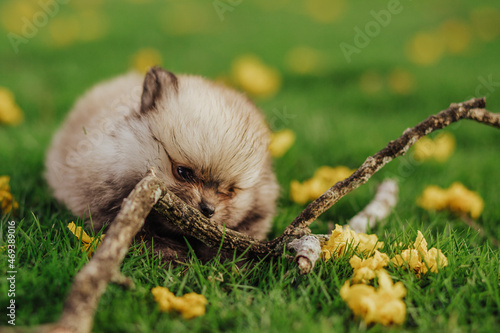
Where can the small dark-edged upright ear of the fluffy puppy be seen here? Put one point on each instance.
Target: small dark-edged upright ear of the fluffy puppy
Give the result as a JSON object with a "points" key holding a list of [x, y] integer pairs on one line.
{"points": [[158, 83]]}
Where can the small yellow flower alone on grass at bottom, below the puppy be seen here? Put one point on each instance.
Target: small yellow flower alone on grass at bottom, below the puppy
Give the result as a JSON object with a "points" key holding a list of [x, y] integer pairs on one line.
{"points": [[190, 305]]}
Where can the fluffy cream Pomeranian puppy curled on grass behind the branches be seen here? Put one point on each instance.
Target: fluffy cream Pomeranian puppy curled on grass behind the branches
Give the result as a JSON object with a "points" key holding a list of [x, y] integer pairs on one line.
{"points": [[207, 142]]}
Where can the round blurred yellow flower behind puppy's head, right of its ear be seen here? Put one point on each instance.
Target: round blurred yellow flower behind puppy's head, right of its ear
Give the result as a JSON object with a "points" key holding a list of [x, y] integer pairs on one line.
{"points": [[255, 77]]}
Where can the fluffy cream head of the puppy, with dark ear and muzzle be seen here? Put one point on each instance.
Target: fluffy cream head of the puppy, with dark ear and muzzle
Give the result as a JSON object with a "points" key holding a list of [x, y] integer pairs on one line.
{"points": [[210, 143]]}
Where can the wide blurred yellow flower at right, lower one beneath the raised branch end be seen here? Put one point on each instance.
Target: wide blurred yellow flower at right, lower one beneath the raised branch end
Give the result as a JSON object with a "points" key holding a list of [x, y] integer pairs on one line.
{"points": [[457, 198]]}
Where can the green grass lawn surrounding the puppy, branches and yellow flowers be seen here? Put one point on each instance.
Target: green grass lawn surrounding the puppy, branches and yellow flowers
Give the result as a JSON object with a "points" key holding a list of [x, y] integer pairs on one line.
{"points": [[336, 124]]}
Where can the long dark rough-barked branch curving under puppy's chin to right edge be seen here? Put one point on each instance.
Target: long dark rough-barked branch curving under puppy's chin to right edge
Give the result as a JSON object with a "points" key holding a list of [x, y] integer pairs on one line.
{"points": [[196, 225]]}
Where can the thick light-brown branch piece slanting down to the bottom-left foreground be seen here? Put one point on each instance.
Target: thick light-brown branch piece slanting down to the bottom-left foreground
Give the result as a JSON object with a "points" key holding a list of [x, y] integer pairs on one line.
{"points": [[90, 283]]}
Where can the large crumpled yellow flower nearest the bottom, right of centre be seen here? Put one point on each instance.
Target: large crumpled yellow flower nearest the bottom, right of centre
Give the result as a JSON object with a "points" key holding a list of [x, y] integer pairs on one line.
{"points": [[383, 305]]}
